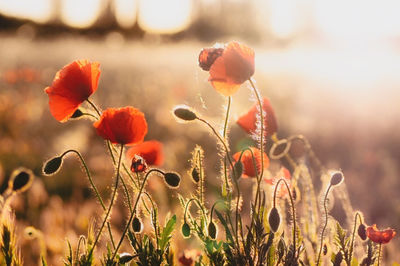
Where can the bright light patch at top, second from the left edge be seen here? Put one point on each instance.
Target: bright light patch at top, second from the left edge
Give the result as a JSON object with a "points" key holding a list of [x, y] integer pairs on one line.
{"points": [[80, 13]]}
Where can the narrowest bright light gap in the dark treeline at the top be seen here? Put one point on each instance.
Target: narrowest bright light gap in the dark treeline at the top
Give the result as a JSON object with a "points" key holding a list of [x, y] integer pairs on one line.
{"points": [[125, 12]]}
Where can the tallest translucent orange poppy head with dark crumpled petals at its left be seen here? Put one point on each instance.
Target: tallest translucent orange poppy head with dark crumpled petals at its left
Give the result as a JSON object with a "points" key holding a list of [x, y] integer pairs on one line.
{"points": [[229, 67]]}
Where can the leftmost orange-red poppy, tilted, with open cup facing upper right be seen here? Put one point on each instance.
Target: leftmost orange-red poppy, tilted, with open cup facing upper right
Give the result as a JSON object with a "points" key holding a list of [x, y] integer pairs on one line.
{"points": [[72, 85]]}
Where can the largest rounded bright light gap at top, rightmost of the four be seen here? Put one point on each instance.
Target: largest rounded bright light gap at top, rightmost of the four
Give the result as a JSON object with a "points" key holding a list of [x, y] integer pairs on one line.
{"points": [[164, 16]]}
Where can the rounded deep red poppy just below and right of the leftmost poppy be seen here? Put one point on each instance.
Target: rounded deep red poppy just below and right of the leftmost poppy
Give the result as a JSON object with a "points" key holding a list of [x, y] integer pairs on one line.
{"points": [[122, 125]]}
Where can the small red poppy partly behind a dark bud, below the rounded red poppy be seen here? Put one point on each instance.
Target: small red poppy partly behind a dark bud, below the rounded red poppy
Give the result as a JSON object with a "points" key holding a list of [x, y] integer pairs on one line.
{"points": [[150, 151]]}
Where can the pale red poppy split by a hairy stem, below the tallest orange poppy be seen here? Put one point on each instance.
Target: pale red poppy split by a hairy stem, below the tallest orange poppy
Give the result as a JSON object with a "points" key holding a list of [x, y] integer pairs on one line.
{"points": [[248, 121]]}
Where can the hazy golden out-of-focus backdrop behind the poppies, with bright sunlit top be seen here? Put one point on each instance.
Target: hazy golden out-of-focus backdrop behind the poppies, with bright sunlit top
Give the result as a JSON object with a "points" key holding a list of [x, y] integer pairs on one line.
{"points": [[330, 68]]}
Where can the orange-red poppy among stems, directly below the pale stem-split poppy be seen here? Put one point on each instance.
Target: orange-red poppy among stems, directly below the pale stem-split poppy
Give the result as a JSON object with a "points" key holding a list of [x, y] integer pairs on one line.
{"points": [[247, 161]]}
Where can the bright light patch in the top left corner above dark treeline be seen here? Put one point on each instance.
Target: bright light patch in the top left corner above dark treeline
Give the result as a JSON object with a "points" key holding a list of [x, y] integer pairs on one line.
{"points": [[39, 11]]}
